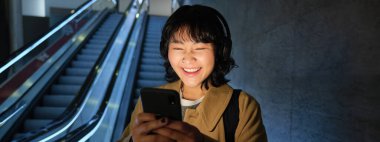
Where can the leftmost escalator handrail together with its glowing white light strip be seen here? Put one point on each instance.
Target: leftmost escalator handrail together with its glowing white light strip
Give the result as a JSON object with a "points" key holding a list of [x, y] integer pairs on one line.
{"points": [[27, 48]]}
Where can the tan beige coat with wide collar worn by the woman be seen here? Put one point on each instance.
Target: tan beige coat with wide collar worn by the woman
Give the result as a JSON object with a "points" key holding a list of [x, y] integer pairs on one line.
{"points": [[207, 117]]}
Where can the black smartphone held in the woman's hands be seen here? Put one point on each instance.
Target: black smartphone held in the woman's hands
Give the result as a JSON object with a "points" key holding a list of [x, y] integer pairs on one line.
{"points": [[162, 102]]}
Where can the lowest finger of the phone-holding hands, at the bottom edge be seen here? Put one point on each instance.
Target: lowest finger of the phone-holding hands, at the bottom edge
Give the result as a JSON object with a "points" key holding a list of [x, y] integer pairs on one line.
{"points": [[171, 133]]}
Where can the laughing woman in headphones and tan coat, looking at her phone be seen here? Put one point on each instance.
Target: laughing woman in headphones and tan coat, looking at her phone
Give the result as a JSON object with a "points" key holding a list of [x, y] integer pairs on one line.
{"points": [[196, 47]]}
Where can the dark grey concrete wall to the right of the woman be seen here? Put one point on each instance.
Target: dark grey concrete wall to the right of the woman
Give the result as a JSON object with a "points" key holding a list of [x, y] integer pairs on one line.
{"points": [[314, 66]]}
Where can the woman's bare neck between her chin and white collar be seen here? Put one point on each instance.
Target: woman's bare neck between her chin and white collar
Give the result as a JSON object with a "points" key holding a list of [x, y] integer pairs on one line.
{"points": [[192, 93]]}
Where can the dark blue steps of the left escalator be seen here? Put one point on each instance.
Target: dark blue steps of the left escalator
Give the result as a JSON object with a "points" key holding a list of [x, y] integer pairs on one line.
{"points": [[69, 82]]}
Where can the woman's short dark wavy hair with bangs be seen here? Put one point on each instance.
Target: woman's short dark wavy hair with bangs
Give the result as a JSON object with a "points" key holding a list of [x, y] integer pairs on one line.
{"points": [[202, 24]]}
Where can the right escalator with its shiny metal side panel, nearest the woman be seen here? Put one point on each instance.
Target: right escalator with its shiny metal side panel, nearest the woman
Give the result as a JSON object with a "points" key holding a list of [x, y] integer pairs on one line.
{"points": [[147, 71]]}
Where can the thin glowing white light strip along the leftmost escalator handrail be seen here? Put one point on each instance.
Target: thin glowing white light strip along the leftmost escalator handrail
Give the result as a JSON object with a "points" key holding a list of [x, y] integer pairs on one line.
{"points": [[37, 43]]}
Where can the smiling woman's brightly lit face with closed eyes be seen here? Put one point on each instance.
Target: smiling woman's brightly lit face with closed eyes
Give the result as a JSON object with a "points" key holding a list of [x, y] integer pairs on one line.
{"points": [[193, 62]]}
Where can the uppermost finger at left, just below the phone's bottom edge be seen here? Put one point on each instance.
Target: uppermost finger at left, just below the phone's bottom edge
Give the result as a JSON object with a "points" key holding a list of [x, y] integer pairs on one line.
{"points": [[147, 127]]}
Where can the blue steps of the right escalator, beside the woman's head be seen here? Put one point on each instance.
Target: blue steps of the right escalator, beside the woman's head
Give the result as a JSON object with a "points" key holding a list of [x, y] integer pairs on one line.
{"points": [[151, 72]]}
